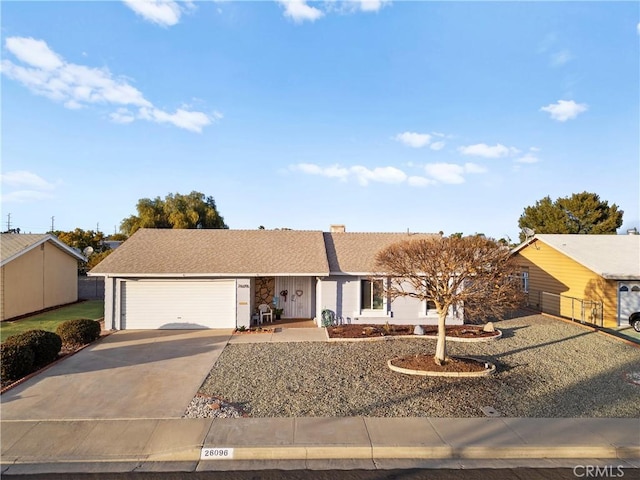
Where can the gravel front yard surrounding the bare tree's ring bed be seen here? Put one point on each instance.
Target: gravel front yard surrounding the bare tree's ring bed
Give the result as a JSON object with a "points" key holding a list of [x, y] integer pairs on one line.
{"points": [[545, 368]]}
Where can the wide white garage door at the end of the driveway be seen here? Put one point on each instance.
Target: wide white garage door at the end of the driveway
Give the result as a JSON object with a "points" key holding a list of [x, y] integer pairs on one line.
{"points": [[182, 304]]}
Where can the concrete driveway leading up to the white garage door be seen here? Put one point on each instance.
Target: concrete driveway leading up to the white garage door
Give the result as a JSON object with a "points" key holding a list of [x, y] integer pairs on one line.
{"points": [[129, 374]]}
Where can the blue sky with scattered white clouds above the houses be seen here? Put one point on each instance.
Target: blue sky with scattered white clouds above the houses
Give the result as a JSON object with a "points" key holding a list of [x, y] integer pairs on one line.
{"points": [[380, 115]]}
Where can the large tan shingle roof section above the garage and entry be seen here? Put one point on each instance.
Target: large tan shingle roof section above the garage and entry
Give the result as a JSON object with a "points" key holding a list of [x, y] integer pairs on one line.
{"points": [[218, 252]]}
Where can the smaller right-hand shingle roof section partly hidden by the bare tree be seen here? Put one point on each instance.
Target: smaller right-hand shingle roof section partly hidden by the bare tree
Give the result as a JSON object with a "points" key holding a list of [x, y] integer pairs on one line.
{"points": [[355, 252]]}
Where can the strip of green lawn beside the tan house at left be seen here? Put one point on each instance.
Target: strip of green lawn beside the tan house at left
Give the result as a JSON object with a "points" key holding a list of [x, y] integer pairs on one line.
{"points": [[93, 309]]}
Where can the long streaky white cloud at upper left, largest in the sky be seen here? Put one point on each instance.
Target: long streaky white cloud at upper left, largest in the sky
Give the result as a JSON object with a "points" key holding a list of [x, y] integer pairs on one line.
{"points": [[78, 86]]}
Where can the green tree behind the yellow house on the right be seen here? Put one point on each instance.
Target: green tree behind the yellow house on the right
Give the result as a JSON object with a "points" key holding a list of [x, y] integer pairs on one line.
{"points": [[581, 213]]}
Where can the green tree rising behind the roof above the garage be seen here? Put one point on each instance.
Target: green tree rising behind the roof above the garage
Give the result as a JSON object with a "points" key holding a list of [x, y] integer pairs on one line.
{"points": [[174, 211]]}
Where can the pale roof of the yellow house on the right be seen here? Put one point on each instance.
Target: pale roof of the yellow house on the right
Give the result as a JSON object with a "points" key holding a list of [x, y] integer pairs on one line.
{"points": [[615, 257]]}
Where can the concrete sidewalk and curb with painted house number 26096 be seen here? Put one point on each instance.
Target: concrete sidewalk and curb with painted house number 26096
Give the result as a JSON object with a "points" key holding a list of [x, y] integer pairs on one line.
{"points": [[318, 443]]}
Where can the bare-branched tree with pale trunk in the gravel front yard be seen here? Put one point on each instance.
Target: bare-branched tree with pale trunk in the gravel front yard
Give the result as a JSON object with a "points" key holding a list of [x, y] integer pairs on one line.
{"points": [[474, 272]]}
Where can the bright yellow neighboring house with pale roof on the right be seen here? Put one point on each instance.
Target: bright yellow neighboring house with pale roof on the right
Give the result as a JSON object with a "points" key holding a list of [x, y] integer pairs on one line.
{"points": [[593, 278]]}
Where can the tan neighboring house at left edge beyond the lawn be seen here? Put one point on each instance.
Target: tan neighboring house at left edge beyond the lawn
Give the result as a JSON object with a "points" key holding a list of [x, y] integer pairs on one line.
{"points": [[38, 271]]}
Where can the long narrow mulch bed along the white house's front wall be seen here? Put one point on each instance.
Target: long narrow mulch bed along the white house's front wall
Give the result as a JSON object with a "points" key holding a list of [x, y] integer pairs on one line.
{"points": [[369, 331]]}
